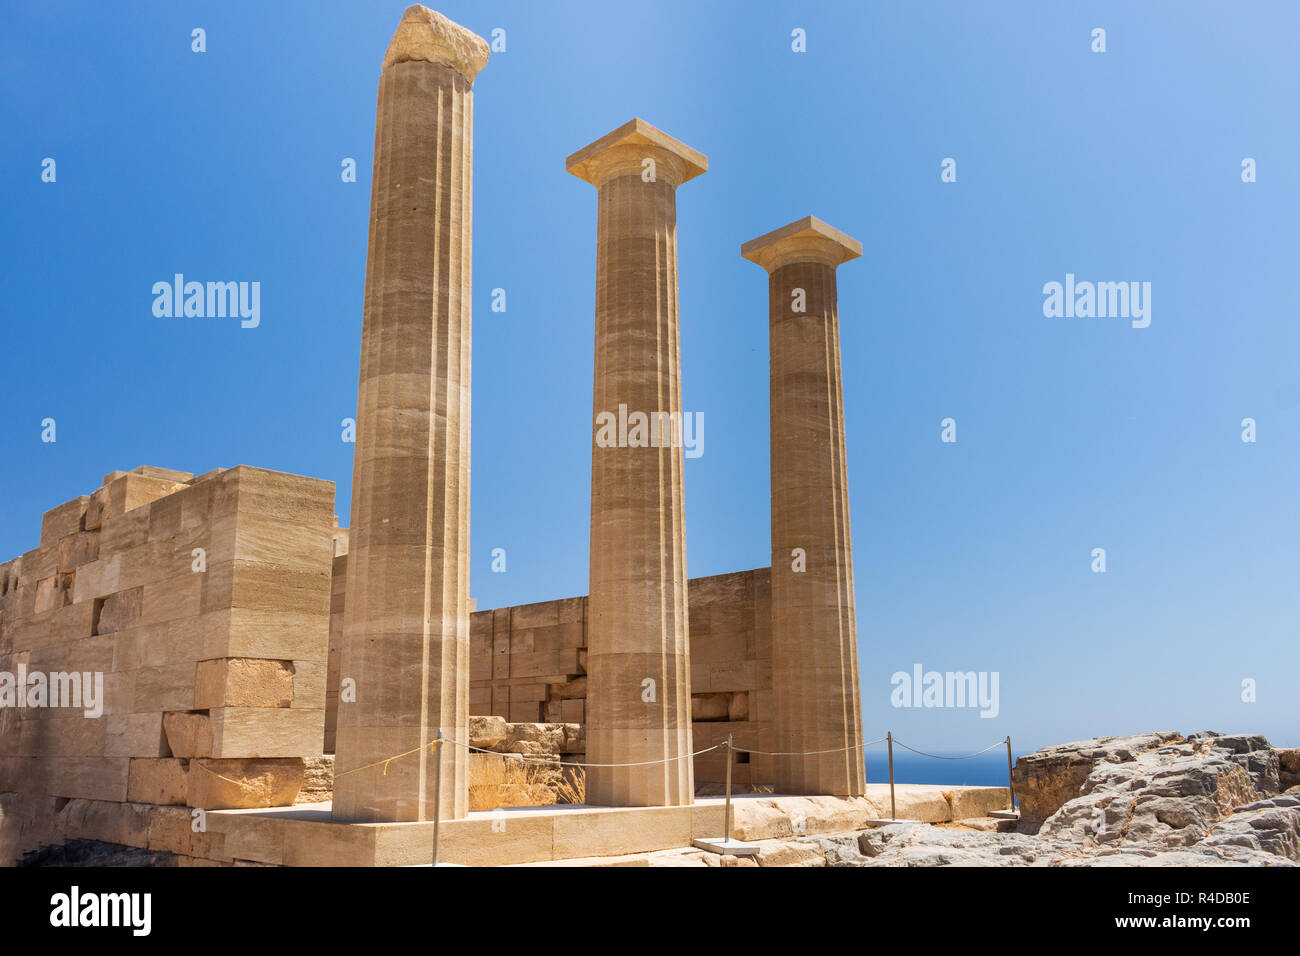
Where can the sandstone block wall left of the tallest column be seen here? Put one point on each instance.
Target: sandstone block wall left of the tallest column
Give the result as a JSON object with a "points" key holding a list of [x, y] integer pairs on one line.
{"points": [[202, 605]]}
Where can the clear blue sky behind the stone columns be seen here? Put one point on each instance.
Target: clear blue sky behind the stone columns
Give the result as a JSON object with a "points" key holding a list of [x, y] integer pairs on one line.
{"points": [[1073, 434]]}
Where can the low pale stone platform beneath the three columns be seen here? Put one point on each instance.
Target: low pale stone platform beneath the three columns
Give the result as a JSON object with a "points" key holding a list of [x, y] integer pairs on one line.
{"points": [[306, 836]]}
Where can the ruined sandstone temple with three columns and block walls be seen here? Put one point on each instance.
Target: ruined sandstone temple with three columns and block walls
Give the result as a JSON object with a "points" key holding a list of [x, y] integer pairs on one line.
{"points": [[224, 613]]}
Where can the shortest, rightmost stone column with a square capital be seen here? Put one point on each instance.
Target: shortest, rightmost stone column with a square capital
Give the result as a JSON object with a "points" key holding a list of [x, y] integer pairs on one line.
{"points": [[816, 700]]}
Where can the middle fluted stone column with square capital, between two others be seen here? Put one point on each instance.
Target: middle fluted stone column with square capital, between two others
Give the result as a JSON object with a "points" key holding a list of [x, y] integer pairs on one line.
{"points": [[639, 665]]}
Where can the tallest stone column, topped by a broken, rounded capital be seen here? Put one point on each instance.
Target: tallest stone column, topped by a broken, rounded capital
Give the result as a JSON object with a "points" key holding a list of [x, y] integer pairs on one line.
{"points": [[406, 622]]}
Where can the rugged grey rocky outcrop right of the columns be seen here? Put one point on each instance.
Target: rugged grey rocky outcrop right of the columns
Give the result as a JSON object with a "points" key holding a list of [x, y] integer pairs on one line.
{"points": [[1143, 801]]}
